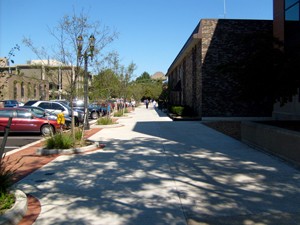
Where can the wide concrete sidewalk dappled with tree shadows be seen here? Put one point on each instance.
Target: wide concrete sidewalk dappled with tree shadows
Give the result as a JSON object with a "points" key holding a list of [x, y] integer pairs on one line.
{"points": [[156, 171]]}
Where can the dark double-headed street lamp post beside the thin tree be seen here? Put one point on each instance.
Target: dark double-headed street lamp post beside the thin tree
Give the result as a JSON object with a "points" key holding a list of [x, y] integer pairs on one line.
{"points": [[89, 52]]}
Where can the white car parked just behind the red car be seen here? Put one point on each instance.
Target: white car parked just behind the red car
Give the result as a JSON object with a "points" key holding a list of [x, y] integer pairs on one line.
{"points": [[57, 107]]}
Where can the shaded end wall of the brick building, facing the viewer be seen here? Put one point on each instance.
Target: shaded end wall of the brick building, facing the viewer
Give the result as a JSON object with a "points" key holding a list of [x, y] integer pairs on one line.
{"points": [[223, 44]]}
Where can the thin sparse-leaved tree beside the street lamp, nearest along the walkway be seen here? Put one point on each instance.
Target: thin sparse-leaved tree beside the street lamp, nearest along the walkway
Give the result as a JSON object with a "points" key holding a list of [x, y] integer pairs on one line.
{"points": [[65, 49]]}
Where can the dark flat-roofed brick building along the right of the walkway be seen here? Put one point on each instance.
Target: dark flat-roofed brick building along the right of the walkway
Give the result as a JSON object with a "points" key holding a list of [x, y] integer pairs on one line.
{"points": [[195, 78]]}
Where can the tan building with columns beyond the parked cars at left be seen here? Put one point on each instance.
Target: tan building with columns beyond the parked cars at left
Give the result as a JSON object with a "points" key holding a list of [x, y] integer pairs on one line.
{"points": [[39, 80]]}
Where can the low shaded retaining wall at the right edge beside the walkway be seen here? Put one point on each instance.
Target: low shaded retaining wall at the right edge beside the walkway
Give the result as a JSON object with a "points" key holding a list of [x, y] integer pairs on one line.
{"points": [[278, 141]]}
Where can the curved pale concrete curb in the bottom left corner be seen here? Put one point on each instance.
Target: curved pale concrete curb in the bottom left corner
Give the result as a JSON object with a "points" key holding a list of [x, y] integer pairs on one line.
{"points": [[15, 214]]}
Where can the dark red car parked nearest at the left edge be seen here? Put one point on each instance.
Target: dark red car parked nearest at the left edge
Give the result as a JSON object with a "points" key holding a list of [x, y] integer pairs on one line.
{"points": [[25, 121]]}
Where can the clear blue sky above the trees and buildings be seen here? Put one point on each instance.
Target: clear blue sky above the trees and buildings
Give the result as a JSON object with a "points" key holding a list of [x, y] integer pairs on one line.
{"points": [[151, 32]]}
